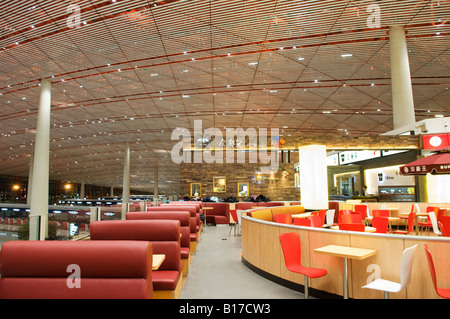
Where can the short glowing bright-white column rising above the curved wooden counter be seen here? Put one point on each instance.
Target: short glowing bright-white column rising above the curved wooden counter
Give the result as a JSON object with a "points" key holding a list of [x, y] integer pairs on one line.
{"points": [[313, 177]]}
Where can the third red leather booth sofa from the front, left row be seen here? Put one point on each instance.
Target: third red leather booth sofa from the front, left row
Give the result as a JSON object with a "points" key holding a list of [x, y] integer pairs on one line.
{"points": [[185, 229]]}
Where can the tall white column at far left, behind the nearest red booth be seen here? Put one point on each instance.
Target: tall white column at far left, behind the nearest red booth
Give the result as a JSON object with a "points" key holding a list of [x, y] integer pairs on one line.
{"points": [[40, 179]]}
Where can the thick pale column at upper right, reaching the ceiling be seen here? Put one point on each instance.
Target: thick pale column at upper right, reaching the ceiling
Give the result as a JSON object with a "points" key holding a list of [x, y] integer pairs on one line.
{"points": [[402, 95]]}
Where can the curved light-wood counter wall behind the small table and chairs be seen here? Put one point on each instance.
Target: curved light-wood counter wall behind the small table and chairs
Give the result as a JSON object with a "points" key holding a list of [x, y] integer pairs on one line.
{"points": [[261, 249]]}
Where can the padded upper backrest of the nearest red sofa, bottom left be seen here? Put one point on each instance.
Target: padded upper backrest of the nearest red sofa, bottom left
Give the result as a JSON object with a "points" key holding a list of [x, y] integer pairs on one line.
{"points": [[96, 259]]}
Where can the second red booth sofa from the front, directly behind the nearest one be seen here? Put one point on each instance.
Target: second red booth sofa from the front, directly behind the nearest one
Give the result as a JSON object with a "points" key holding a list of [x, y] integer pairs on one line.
{"points": [[165, 238]]}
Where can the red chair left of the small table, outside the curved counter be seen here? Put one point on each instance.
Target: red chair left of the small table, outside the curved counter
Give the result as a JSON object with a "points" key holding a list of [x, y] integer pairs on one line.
{"points": [[292, 251]]}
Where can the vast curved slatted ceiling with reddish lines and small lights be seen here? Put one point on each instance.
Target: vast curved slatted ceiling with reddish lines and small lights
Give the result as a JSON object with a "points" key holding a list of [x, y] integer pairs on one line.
{"points": [[133, 71]]}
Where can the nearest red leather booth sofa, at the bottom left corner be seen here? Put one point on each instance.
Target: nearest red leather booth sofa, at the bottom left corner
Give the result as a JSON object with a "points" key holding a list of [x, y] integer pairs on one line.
{"points": [[39, 270]]}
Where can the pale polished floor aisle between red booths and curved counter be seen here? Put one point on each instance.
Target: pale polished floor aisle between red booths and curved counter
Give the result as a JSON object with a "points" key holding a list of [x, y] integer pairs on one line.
{"points": [[217, 272]]}
